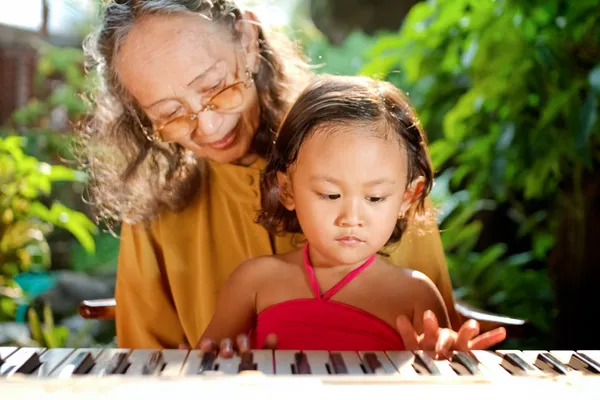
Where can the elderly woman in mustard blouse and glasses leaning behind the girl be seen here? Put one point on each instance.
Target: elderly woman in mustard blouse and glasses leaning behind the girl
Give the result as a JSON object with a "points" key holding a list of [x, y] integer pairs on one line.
{"points": [[189, 97]]}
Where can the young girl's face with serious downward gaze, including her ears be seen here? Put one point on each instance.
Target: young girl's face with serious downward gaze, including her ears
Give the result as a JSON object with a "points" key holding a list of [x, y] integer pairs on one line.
{"points": [[348, 189]]}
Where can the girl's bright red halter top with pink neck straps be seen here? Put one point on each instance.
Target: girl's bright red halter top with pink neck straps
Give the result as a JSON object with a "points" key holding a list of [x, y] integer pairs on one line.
{"points": [[320, 323]]}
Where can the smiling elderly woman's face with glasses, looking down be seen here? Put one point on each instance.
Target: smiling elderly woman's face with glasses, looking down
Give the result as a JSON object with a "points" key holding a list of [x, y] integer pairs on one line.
{"points": [[175, 64]]}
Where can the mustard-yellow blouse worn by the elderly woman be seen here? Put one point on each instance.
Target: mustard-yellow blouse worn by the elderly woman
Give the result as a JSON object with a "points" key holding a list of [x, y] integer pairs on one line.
{"points": [[169, 275]]}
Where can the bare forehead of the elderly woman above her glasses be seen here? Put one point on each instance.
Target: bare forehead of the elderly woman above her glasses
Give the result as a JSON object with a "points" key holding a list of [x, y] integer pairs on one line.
{"points": [[162, 54]]}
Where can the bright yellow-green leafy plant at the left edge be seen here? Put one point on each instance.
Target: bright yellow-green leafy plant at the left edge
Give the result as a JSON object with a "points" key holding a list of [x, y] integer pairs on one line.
{"points": [[26, 221]]}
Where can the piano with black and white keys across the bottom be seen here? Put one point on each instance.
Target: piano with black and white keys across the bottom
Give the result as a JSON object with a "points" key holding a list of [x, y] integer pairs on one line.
{"points": [[65, 373]]}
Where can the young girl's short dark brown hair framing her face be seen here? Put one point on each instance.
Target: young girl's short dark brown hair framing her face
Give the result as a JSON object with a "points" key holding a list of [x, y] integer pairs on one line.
{"points": [[331, 100]]}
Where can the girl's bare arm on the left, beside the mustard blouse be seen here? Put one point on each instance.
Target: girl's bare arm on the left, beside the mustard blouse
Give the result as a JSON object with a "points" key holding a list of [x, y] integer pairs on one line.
{"points": [[235, 310]]}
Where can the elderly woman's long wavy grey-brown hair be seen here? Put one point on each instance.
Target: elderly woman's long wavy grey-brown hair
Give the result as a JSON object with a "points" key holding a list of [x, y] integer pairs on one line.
{"points": [[133, 179]]}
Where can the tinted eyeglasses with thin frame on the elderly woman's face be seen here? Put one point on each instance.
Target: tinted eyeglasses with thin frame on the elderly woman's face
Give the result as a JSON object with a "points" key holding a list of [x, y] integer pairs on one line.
{"points": [[228, 100]]}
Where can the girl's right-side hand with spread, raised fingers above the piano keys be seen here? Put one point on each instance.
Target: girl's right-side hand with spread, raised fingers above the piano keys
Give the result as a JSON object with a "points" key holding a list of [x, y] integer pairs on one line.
{"points": [[443, 340]]}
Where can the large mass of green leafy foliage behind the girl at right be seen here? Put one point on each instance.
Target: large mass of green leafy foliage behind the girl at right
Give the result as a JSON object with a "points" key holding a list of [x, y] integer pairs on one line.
{"points": [[508, 93]]}
